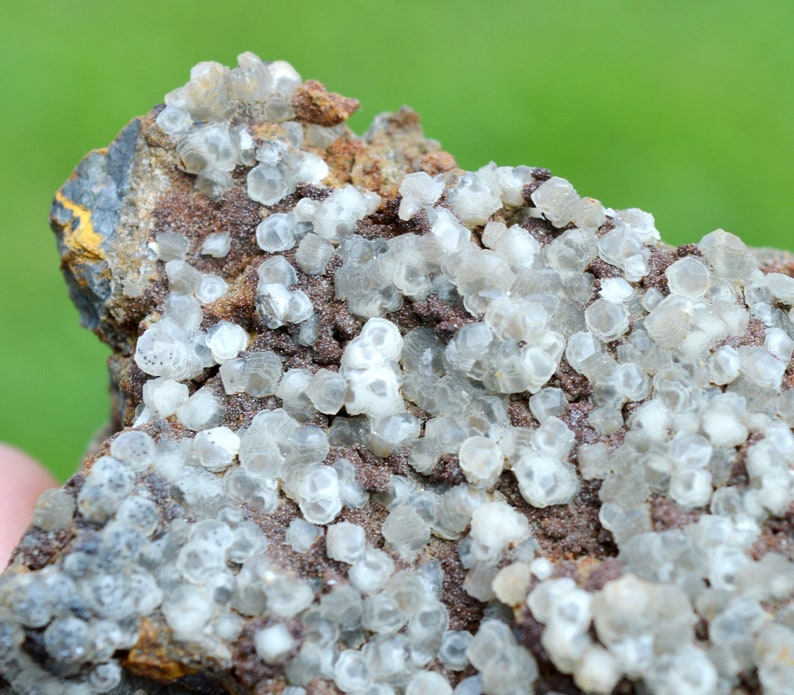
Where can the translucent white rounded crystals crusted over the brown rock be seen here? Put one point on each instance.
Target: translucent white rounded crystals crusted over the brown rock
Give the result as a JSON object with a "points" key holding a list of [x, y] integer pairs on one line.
{"points": [[686, 365]]}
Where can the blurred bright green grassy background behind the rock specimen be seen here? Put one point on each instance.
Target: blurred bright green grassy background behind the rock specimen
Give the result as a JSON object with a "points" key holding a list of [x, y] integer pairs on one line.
{"points": [[683, 109]]}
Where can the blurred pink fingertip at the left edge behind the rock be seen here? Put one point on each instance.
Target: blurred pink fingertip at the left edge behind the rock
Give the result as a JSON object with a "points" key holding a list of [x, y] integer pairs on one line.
{"points": [[22, 480]]}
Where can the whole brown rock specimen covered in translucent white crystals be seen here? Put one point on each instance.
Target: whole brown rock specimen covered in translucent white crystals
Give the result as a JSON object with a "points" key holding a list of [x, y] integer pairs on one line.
{"points": [[385, 426]]}
